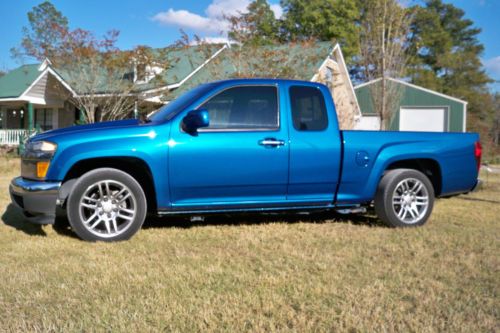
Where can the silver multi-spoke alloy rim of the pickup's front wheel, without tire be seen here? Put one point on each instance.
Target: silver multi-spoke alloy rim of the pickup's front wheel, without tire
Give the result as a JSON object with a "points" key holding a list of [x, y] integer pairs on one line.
{"points": [[107, 208]]}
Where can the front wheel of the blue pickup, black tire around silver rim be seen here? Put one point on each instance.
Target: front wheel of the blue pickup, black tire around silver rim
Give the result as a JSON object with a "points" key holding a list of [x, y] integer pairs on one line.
{"points": [[77, 211]]}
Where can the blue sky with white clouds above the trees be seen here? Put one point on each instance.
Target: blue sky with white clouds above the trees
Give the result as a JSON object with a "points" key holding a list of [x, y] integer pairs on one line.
{"points": [[157, 23]]}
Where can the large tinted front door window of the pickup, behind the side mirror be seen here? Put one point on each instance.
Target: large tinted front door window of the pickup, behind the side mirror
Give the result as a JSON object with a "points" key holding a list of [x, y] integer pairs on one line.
{"points": [[248, 107]]}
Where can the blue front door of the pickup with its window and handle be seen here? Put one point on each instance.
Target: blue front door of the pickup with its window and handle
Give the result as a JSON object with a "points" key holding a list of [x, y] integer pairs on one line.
{"points": [[241, 159]]}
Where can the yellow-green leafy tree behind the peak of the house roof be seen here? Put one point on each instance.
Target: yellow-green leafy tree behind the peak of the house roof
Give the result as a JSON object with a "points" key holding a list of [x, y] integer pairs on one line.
{"points": [[324, 20]]}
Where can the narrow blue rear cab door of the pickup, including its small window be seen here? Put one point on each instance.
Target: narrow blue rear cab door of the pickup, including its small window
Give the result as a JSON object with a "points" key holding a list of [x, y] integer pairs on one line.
{"points": [[315, 147]]}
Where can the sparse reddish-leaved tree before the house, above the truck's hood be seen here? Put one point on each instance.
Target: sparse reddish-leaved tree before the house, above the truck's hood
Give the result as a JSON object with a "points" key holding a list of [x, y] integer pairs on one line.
{"points": [[106, 79]]}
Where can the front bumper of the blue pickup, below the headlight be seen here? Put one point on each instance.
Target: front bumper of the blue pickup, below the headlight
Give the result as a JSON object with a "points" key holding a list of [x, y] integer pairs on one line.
{"points": [[37, 199]]}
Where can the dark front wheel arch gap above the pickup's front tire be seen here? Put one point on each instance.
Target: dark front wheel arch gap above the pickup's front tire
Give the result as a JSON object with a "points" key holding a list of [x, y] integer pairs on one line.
{"points": [[135, 167]]}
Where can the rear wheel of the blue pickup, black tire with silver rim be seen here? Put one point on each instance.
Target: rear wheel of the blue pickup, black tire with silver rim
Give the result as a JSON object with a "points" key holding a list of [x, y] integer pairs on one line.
{"points": [[386, 197]]}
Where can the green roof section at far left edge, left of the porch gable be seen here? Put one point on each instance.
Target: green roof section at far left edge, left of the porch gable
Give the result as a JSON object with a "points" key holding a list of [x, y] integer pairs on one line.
{"points": [[15, 82]]}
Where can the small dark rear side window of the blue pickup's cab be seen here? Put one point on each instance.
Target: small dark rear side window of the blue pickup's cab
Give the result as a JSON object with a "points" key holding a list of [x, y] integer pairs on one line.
{"points": [[308, 109]]}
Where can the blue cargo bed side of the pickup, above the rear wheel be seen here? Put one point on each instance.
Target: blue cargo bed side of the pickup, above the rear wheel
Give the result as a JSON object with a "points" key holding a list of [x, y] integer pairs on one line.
{"points": [[368, 153]]}
